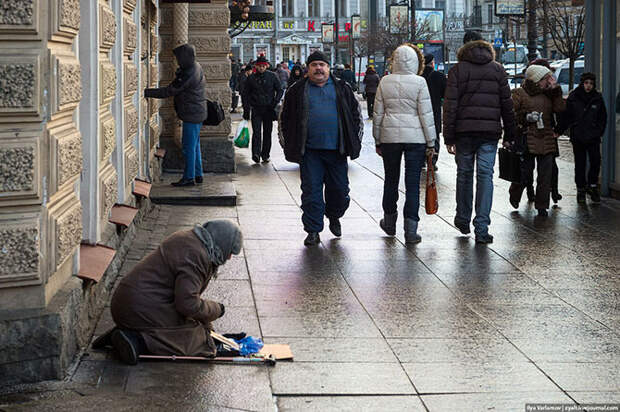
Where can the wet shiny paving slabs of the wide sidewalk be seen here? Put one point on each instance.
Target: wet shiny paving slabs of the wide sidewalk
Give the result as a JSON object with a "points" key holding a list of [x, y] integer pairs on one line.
{"points": [[375, 324]]}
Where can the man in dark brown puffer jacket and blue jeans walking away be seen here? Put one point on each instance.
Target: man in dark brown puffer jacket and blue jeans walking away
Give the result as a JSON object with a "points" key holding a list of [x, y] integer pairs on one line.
{"points": [[476, 107]]}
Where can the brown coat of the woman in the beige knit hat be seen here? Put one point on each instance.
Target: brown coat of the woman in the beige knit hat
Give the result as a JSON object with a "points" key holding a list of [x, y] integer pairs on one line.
{"points": [[531, 98]]}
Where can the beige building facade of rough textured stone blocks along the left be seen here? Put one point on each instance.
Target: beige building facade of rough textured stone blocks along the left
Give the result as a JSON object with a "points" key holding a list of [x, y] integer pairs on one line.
{"points": [[75, 133]]}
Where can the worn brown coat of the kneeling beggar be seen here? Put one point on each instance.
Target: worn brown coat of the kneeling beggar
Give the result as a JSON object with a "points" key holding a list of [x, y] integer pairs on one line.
{"points": [[160, 298]]}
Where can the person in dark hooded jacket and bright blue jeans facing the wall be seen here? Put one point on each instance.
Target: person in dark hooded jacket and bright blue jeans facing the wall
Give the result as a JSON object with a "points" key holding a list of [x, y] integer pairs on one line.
{"points": [[190, 104]]}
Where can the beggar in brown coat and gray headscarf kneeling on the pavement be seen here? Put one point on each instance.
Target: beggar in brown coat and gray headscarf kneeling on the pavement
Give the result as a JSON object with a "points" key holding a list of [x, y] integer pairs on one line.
{"points": [[157, 307]]}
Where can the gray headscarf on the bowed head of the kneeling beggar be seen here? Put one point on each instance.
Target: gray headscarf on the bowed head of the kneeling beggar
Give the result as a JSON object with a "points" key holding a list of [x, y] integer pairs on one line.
{"points": [[221, 238]]}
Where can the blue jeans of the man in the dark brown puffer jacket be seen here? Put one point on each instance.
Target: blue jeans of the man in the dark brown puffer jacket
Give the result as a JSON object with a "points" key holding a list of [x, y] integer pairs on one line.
{"points": [[482, 153]]}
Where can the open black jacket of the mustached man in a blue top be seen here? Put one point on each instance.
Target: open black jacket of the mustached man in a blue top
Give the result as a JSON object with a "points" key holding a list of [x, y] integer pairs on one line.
{"points": [[293, 125]]}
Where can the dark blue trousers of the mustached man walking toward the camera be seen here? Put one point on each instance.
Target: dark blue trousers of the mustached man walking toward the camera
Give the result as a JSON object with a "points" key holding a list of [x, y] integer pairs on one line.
{"points": [[318, 168]]}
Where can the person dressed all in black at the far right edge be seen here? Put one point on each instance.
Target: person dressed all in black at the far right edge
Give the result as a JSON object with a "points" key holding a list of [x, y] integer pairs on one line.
{"points": [[586, 115]]}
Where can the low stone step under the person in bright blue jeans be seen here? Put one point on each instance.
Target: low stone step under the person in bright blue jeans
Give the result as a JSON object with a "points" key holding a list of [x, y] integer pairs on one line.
{"points": [[216, 190]]}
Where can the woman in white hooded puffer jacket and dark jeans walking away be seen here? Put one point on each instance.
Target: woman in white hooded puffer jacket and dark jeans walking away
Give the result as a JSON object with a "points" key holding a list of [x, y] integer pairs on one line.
{"points": [[403, 124]]}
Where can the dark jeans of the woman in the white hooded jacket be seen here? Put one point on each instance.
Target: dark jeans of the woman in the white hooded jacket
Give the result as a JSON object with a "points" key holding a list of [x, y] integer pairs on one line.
{"points": [[391, 154]]}
